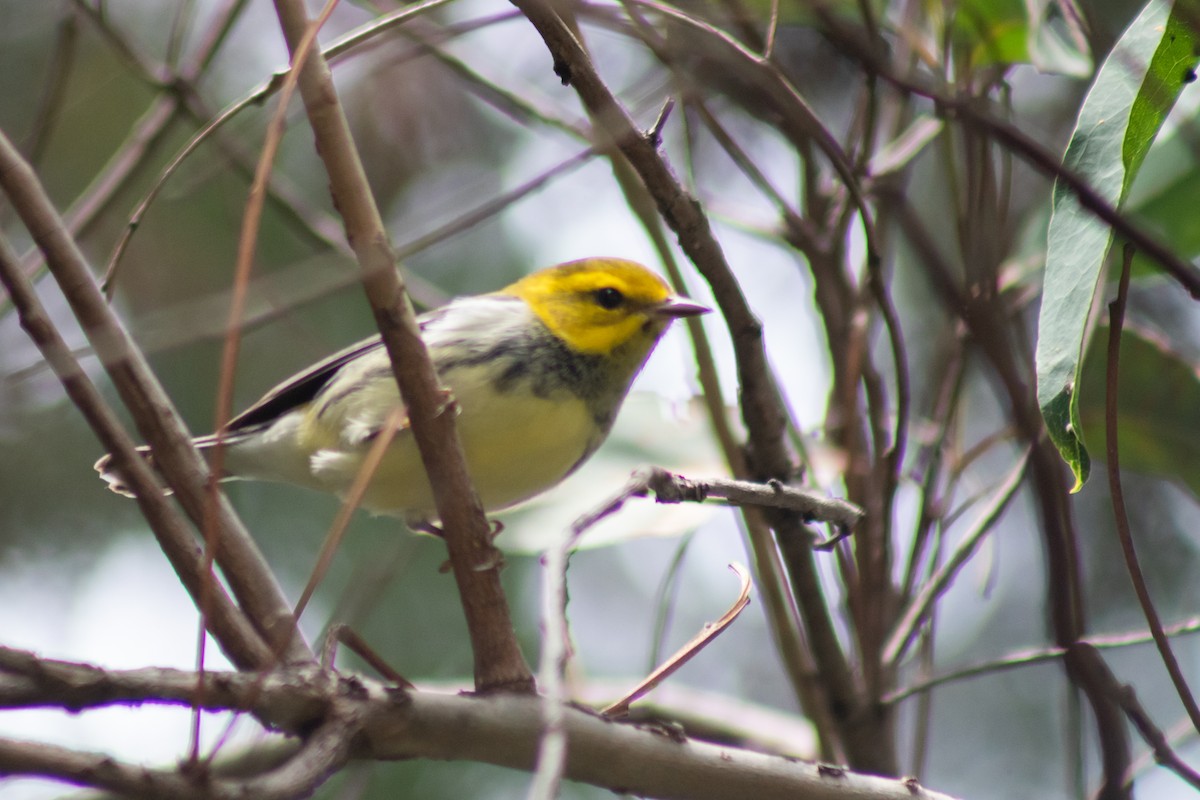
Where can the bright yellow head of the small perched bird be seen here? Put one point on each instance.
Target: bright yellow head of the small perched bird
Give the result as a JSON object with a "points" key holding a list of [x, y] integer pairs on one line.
{"points": [[598, 305]]}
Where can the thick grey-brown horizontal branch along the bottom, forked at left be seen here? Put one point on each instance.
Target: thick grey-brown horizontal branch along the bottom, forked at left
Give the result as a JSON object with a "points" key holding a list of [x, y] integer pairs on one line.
{"points": [[388, 724]]}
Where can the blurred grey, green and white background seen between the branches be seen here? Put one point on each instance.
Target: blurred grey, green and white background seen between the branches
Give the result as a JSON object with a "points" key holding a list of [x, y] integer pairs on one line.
{"points": [[79, 574]]}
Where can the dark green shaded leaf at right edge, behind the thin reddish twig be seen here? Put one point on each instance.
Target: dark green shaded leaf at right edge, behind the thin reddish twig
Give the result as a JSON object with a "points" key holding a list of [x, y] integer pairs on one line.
{"points": [[1159, 407]]}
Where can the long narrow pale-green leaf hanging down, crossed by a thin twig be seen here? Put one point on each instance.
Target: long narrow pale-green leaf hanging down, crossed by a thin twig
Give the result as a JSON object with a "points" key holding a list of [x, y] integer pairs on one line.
{"points": [[1118, 123]]}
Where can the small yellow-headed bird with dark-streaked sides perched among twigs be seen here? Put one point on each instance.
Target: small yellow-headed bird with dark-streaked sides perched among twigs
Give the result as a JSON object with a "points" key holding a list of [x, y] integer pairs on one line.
{"points": [[538, 372]]}
